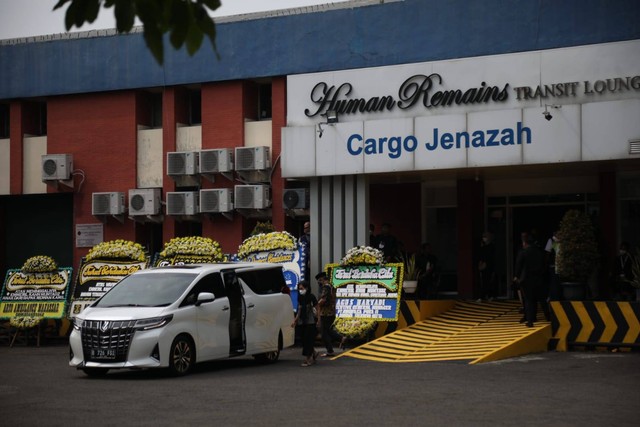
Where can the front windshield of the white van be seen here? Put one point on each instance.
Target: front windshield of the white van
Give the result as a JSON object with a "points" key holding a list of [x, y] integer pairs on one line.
{"points": [[147, 290]]}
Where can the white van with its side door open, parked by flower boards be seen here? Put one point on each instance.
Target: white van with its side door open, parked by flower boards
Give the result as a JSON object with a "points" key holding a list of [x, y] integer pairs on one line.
{"points": [[174, 317]]}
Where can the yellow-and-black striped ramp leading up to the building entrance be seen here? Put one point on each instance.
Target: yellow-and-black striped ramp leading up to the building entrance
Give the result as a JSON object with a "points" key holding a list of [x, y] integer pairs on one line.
{"points": [[472, 332]]}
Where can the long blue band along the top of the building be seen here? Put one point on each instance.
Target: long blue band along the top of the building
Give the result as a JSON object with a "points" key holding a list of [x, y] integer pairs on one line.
{"points": [[377, 35]]}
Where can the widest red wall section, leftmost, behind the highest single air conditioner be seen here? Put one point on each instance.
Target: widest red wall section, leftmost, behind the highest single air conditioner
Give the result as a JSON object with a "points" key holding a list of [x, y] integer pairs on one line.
{"points": [[100, 131]]}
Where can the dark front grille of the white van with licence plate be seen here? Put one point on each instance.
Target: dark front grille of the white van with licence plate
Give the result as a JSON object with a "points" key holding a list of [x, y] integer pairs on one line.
{"points": [[114, 337]]}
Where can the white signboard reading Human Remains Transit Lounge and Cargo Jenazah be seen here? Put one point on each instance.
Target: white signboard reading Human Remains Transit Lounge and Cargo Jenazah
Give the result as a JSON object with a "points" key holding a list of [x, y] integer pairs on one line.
{"points": [[553, 106]]}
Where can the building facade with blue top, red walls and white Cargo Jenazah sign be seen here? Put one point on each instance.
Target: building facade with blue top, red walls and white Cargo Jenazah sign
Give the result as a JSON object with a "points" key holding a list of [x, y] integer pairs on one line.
{"points": [[450, 119]]}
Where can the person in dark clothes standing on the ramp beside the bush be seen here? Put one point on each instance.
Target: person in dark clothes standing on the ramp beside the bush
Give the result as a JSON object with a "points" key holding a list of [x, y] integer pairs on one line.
{"points": [[529, 275]]}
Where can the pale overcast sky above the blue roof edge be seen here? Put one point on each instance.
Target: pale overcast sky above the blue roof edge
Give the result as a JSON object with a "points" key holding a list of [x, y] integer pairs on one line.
{"points": [[25, 18]]}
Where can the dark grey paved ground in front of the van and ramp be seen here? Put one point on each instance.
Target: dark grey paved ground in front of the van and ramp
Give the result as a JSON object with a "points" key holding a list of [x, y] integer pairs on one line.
{"points": [[550, 389]]}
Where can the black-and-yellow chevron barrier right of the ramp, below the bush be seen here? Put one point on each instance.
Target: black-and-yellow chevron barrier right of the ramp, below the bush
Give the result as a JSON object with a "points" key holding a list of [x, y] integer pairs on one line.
{"points": [[595, 324]]}
